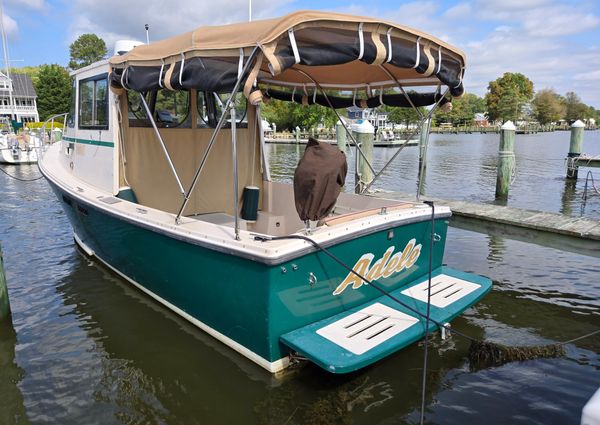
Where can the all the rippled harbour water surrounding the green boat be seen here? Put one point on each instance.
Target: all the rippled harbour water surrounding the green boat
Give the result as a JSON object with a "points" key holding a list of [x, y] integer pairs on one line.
{"points": [[87, 348]]}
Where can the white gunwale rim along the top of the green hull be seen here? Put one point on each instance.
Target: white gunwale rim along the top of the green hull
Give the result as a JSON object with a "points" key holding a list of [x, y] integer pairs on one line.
{"points": [[220, 235]]}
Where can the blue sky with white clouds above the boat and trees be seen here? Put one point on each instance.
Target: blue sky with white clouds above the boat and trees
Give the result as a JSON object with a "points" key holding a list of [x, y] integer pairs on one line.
{"points": [[555, 43]]}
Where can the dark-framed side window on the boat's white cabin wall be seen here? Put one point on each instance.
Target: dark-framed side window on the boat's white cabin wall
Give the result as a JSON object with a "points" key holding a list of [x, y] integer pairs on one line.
{"points": [[93, 103]]}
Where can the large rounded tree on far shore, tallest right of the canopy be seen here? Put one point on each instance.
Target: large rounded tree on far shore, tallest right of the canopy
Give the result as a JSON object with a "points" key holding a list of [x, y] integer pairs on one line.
{"points": [[507, 95]]}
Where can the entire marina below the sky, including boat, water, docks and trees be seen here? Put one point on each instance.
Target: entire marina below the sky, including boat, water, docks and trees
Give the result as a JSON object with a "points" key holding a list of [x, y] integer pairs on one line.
{"points": [[171, 258]]}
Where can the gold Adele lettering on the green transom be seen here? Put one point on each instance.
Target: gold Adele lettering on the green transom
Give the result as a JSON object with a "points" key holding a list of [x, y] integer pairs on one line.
{"points": [[384, 267]]}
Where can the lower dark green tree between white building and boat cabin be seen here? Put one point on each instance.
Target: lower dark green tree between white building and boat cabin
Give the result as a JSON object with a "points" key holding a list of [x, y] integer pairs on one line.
{"points": [[53, 89]]}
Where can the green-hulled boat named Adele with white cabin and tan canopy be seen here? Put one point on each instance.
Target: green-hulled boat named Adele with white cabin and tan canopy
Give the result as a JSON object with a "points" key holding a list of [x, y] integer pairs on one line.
{"points": [[163, 173]]}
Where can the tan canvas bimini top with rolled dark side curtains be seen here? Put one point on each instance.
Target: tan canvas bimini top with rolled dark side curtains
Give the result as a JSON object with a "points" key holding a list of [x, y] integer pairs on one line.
{"points": [[336, 51]]}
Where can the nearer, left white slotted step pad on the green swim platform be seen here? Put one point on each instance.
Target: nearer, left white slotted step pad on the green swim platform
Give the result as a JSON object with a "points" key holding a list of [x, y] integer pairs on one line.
{"points": [[367, 328]]}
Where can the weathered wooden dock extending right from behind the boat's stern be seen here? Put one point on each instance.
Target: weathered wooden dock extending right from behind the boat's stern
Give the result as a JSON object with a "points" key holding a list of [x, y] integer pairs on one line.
{"points": [[559, 231]]}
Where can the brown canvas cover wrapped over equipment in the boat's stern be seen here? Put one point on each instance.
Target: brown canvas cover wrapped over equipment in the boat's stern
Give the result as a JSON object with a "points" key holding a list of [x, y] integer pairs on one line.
{"points": [[318, 180]]}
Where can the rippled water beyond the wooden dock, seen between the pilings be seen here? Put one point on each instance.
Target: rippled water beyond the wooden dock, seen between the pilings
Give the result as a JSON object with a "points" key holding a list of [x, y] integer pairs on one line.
{"points": [[464, 167]]}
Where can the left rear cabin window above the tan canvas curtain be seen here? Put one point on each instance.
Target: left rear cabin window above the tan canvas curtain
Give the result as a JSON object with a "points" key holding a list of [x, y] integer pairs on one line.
{"points": [[169, 108]]}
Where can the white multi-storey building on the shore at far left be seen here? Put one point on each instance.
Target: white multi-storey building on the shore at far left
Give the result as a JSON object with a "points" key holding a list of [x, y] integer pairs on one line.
{"points": [[24, 106]]}
